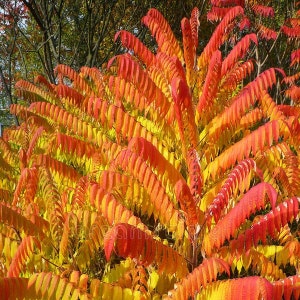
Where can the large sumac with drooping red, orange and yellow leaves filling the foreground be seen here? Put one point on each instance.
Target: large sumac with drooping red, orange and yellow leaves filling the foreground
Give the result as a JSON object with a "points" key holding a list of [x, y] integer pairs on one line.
{"points": [[162, 177]]}
